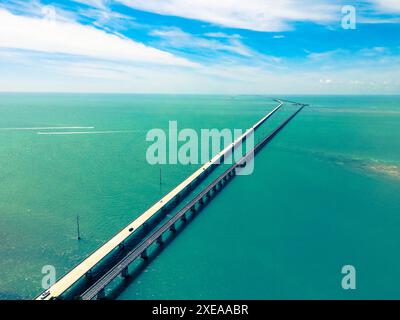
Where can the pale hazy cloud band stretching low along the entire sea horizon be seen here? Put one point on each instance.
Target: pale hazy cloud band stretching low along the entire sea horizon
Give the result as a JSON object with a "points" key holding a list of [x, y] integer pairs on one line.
{"points": [[51, 73]]}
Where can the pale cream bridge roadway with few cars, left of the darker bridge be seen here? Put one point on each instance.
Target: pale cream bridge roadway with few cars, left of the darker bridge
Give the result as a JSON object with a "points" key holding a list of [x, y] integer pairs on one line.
{"points": [[85, 267]]}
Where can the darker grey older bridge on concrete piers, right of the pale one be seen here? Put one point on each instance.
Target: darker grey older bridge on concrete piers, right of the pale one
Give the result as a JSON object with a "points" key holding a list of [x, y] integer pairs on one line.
{"points": [[97, 289]]}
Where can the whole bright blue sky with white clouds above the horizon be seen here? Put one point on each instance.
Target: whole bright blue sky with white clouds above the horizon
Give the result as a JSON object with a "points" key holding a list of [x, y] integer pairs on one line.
{"points": [[200, 46]]}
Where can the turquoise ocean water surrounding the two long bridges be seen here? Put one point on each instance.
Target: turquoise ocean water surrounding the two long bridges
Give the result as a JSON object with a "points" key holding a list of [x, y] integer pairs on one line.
{"points": [[324, 194]]}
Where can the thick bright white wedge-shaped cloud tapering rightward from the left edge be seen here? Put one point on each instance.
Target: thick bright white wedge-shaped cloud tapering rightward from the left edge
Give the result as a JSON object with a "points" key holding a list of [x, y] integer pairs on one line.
{"points": [[29, 33]]}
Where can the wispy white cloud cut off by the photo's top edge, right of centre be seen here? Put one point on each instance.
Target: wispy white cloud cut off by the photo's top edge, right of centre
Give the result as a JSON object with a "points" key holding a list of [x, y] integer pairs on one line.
{"points": [[258, 15]]}
